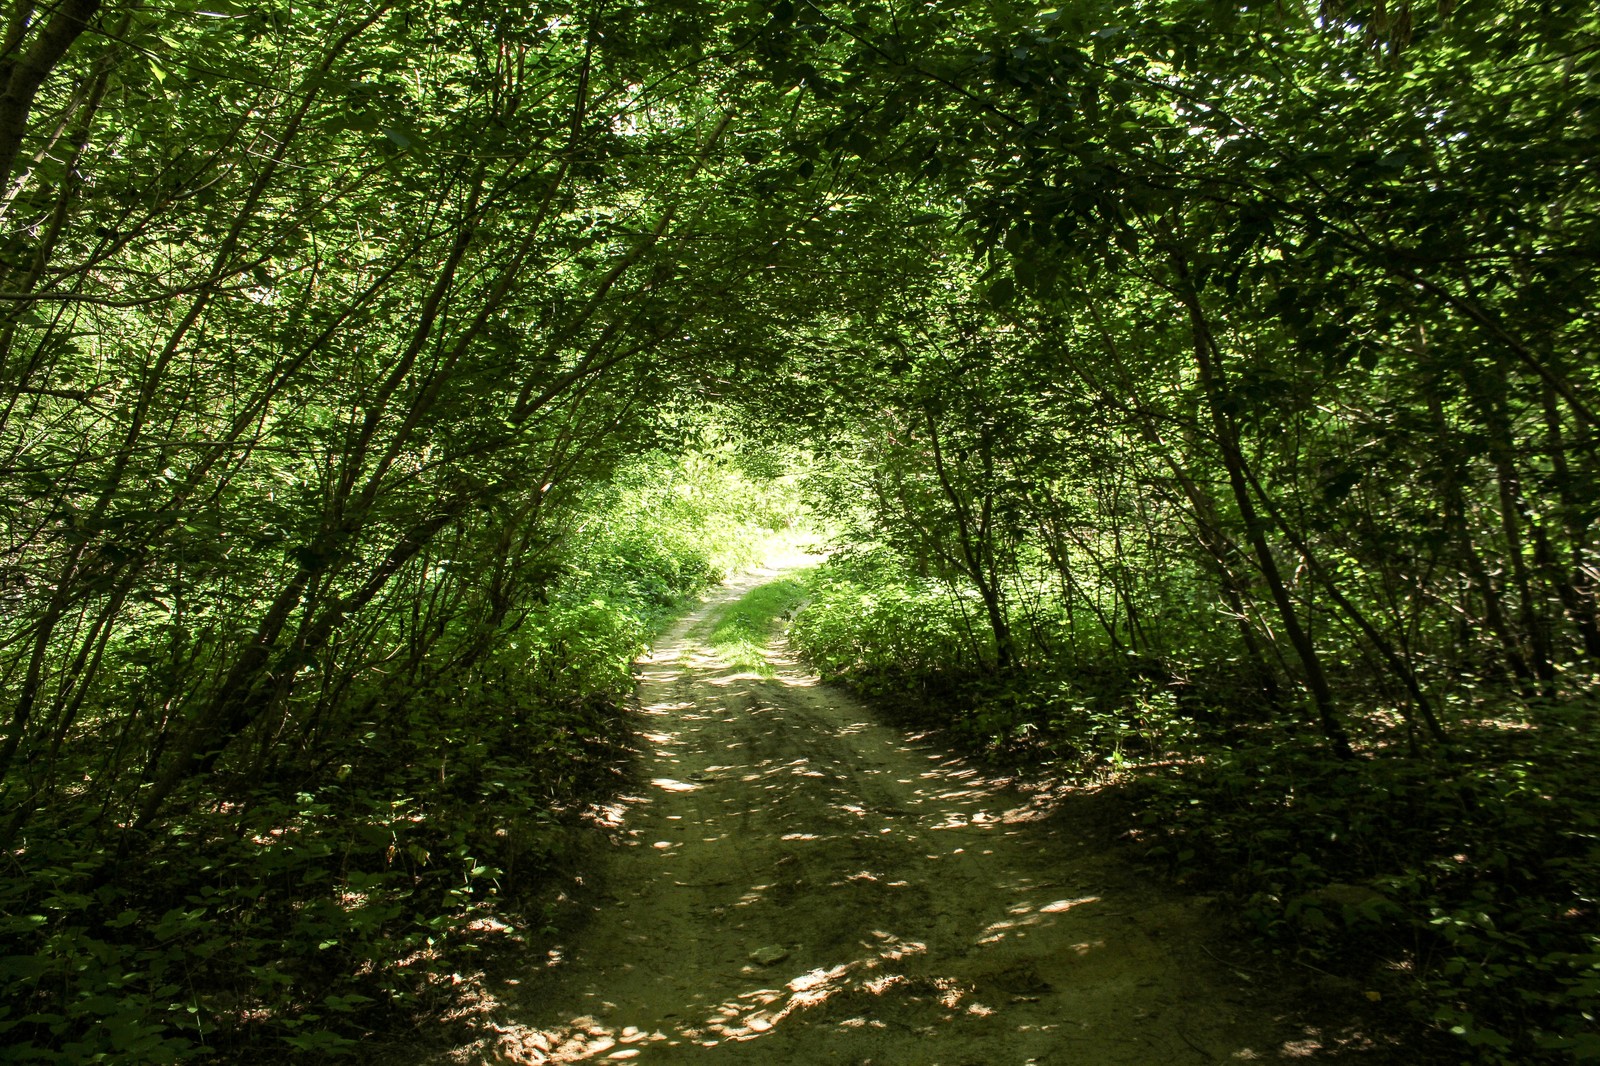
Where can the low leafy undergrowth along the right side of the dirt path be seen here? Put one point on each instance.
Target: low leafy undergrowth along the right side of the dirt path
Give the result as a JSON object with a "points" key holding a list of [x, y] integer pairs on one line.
{"points": [[1455, 892]]}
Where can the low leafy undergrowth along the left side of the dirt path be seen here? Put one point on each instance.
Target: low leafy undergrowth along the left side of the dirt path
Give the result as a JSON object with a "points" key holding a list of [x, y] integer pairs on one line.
{"points": [[348, 880]]}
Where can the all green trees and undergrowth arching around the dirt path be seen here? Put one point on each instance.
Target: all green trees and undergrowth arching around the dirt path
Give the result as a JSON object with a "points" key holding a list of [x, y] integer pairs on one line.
{"points": [[1207, 385]]}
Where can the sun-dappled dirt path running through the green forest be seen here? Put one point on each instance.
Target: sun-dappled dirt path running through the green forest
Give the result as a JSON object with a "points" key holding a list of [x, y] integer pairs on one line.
{"points": [[794, 883]]}
